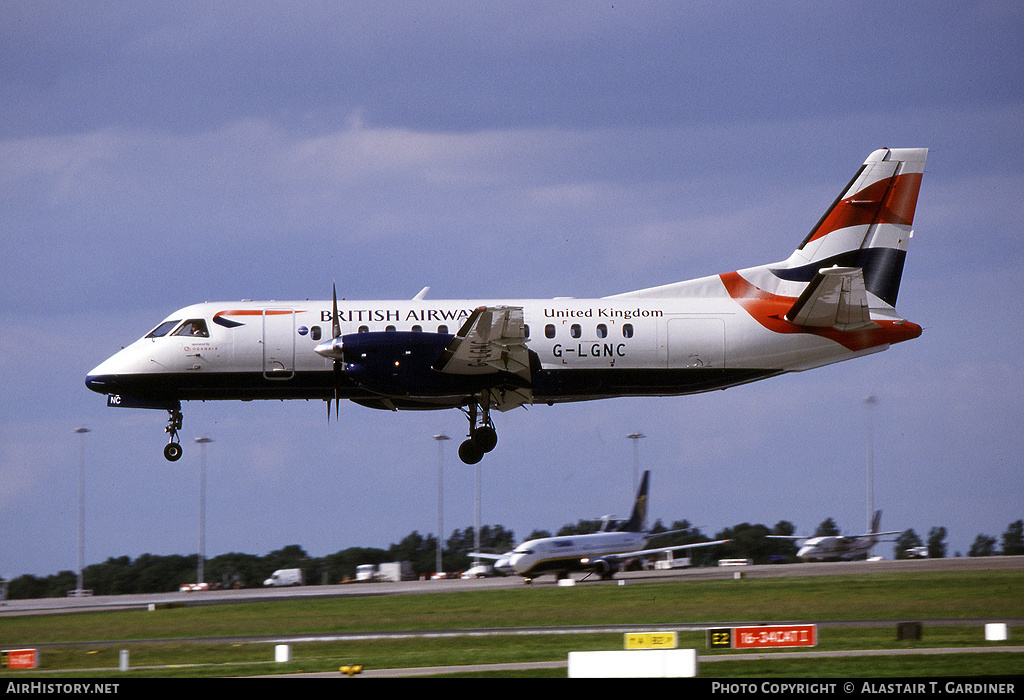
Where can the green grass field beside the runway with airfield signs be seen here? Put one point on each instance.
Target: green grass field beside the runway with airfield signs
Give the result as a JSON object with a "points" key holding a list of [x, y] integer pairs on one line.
{"points": [[207, 641]]}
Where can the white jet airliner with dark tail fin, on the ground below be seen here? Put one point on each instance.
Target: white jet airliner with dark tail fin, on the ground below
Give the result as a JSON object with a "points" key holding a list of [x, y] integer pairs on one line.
{"points": [[603, 553]]}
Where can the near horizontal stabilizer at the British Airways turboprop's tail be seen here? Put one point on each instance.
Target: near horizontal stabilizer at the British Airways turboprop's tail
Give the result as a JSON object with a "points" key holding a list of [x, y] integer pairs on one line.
{"points": [[835, 298]]}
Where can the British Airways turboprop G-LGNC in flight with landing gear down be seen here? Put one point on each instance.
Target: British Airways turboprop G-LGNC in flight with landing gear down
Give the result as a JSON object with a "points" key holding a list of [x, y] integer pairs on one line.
{"points": [[832, 300]]}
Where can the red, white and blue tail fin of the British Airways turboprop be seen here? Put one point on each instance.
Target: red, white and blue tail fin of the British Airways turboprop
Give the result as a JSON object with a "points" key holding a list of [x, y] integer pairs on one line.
{"points": [[868, 227]]}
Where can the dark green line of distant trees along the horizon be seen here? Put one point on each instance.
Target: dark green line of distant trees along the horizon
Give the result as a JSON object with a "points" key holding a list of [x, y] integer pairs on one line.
{"points": [[161, 574]]}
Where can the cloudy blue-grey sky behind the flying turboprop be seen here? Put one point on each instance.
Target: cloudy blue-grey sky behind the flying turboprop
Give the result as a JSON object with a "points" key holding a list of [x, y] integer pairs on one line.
{"points": [[155, 156]]}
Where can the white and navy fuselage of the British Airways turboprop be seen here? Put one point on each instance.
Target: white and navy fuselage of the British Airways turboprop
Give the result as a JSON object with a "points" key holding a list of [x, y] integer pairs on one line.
{"points": [[587, 349]]}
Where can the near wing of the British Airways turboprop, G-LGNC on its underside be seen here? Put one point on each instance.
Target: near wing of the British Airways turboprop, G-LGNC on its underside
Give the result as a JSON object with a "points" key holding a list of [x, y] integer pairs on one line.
{"points": [[493, 341]]}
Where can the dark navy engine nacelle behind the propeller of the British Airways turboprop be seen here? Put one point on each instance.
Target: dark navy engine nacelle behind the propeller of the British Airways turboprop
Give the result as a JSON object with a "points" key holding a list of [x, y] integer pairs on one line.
{"points": [[399, 364]]}
